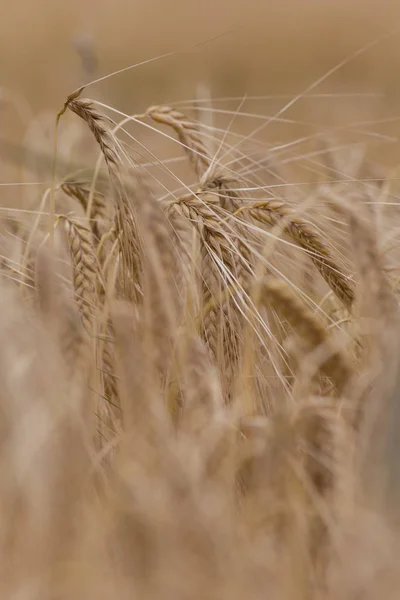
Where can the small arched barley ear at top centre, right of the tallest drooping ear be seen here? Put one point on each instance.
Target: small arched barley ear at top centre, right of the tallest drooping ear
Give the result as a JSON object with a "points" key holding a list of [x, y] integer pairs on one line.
{"points": [[188, 134]]}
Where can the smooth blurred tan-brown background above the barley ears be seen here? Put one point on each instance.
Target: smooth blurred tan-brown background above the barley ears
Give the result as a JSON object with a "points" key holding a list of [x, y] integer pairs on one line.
{"points": [[256, 47]]}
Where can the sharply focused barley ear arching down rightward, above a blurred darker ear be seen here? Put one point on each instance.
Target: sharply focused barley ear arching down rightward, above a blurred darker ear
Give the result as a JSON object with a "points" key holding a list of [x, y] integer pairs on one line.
{"points": [[272, 212]]}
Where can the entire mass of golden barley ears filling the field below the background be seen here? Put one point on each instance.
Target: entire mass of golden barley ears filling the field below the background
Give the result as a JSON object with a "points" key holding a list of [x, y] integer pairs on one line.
{"points": [[198, 382]]}
